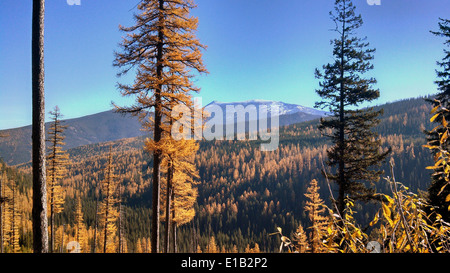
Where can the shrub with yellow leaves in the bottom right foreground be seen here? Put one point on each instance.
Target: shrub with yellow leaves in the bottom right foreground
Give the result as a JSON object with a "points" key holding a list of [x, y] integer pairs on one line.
{"points": [[409, 224]]}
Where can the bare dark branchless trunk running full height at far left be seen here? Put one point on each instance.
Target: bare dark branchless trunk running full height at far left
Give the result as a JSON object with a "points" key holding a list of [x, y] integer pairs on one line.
{"points": [[39, 211]]}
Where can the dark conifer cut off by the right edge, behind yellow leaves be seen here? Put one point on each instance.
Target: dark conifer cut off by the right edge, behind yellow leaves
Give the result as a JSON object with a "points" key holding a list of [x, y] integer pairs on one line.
{"points": [[438, 190]]}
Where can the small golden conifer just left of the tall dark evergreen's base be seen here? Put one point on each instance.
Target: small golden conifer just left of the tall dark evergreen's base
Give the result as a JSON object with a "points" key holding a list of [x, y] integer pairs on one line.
{"points": [[315, 209]]}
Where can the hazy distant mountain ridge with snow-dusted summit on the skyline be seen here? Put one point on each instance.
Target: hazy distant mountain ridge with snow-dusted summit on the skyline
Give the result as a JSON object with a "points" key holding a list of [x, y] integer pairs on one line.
{"points": [[111, 126]]}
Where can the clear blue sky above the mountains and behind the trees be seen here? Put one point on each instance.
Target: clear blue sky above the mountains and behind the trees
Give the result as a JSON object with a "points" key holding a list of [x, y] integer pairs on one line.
{"points": [[257, 49]]}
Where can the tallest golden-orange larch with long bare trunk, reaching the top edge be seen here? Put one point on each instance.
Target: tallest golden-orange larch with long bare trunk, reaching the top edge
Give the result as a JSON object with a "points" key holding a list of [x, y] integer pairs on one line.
{"points": [[163, 50]]}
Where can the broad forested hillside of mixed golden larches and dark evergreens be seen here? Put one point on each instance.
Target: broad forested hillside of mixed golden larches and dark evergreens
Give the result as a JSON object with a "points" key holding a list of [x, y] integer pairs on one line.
{"points": [[243, 194]]}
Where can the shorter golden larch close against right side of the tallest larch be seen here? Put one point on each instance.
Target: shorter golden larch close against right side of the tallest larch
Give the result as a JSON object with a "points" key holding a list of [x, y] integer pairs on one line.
{"points": [[178, 154]]}
